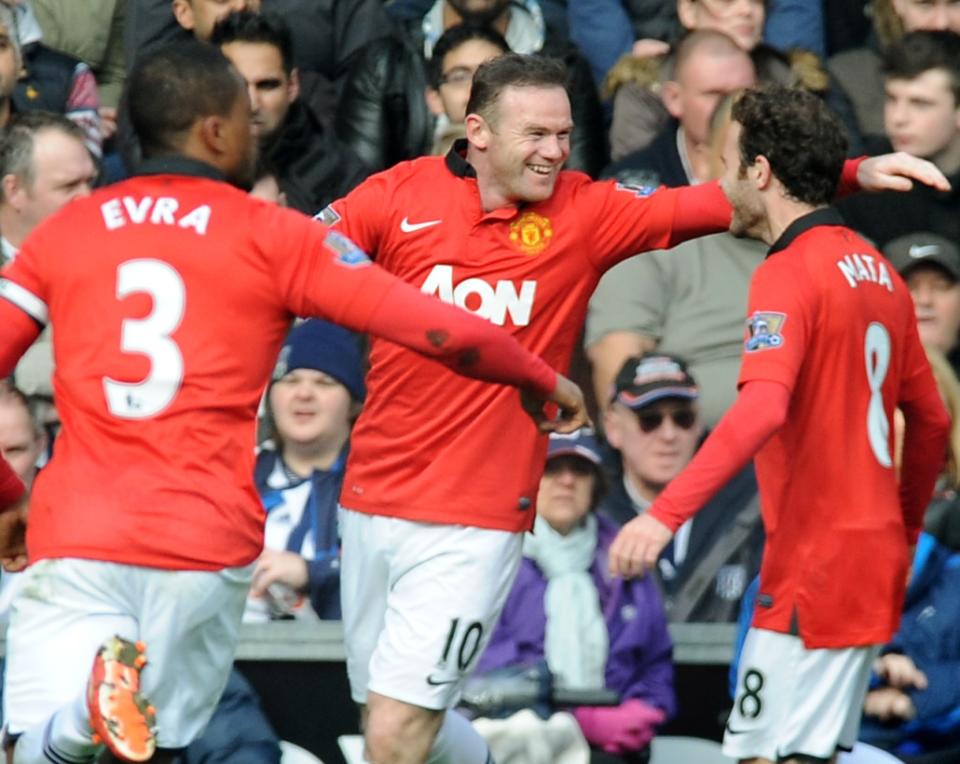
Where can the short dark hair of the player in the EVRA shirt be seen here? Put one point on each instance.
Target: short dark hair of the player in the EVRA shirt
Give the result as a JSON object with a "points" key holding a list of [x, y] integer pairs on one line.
{"points": [[173, 86]]}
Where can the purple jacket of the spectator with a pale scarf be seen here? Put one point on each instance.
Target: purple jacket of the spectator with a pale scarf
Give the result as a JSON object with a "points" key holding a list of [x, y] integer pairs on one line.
{"points": [[639, 664]]}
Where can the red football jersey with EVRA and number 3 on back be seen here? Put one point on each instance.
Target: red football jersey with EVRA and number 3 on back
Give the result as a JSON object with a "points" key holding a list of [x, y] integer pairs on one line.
{"points": [[170, 297]]}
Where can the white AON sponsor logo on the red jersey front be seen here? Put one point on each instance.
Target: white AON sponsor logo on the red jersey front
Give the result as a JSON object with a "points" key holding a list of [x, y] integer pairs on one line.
{"points": [[494, 302]]}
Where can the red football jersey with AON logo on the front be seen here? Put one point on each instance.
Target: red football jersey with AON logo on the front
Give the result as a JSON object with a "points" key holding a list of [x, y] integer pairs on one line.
{"points": [[430, 446]]}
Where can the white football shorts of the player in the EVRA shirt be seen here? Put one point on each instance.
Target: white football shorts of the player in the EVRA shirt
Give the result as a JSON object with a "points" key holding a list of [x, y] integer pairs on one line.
{"points": [[66, 608]]}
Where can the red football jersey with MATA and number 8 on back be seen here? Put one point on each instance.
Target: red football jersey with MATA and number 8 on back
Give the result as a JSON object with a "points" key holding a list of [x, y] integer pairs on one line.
{"points": [[830, 319]]}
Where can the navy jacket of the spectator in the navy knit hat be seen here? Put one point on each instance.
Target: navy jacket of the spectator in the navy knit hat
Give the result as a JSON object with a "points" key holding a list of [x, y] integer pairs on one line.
{"points": [[315, 535]]}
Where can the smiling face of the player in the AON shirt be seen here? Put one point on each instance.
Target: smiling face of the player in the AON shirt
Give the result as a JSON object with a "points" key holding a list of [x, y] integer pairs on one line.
{"points": [[519, 150]]}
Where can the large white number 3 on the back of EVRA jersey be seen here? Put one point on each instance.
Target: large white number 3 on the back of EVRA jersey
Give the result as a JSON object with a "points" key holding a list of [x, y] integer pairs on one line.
{"points": [[151, 337]]}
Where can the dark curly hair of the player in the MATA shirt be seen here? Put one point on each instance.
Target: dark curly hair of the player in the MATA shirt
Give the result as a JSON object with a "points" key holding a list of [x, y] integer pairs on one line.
{"points": [[798, 134]]}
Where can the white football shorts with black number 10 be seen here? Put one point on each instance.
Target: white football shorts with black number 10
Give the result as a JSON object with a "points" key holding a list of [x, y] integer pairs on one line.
{"points": [[420, 601]]}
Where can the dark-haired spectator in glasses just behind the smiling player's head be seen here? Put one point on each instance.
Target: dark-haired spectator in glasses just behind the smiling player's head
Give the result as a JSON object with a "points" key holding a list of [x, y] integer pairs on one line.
{"points": [[456, 56]]}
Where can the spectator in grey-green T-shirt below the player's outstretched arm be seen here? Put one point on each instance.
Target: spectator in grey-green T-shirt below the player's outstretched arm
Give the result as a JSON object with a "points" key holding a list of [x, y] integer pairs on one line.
{"points": [[688, 302]]}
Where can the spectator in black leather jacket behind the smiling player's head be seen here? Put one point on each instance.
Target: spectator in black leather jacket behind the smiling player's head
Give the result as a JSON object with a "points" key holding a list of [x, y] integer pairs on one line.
{"points": [[382, 115]]}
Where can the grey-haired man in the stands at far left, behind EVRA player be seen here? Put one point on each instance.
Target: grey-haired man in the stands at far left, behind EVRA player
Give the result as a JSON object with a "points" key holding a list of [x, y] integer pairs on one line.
{"points": [[44, 164]]}
